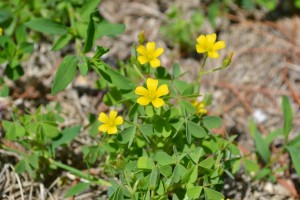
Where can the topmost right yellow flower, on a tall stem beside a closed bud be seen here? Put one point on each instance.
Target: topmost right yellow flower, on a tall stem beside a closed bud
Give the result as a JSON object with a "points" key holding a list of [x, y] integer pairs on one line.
{"points": [[207, 44]]}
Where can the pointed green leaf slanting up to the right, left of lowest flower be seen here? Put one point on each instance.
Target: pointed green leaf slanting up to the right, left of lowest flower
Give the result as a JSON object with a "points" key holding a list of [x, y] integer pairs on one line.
{"points": [[66, 136]]}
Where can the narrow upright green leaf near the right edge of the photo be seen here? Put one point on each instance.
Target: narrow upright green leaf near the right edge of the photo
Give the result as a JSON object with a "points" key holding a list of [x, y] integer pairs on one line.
{"points": [[287, 116]]}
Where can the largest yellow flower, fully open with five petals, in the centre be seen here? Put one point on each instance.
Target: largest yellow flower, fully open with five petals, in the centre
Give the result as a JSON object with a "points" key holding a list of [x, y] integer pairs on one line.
{"points": [[152, 94]]}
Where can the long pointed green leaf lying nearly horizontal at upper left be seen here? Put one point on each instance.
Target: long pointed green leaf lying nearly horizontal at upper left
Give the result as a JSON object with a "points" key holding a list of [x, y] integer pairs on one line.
{"points": [[46, 26]]}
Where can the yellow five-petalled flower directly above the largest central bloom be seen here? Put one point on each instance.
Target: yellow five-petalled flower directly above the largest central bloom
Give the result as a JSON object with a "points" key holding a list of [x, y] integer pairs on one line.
{"points": [[149, 54]]}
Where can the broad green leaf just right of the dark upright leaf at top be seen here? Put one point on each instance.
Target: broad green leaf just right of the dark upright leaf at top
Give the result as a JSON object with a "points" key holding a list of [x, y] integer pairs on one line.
{"points": [[108, 29]]}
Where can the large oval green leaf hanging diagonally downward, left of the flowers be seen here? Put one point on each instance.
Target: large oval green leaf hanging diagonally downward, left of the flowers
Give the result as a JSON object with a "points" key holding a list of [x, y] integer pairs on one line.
{"points": [[65, 74]]}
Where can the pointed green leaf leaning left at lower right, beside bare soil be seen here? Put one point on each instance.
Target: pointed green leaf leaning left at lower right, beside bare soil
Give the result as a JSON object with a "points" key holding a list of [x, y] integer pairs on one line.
{"points": [[262, 147]]}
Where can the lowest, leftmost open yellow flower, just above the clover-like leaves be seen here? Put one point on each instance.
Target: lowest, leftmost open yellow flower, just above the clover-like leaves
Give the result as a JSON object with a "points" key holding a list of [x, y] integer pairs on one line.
{"points": [[109, 123]]}
